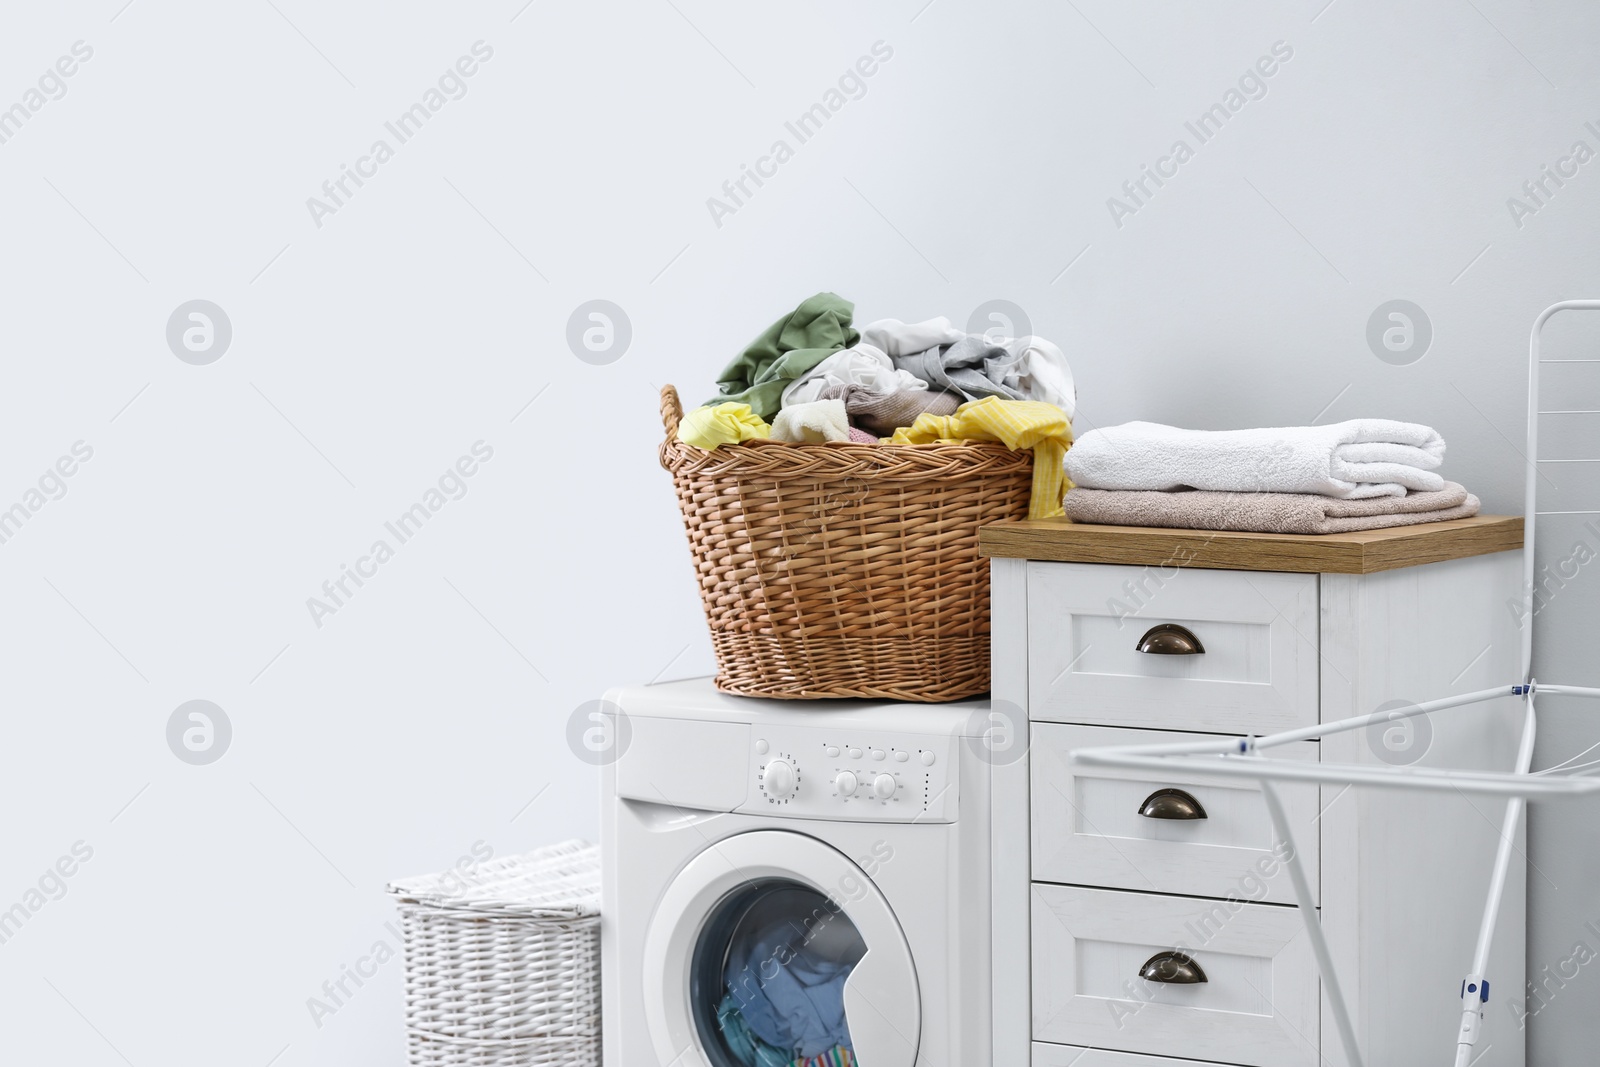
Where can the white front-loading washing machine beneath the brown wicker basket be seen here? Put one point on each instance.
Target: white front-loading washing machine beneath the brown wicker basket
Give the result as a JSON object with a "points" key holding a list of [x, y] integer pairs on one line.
{"points": [[794, 881]]}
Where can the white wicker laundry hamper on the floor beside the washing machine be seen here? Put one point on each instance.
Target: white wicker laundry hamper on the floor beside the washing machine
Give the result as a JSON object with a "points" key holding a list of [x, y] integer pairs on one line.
{"points": [[503, 962]]}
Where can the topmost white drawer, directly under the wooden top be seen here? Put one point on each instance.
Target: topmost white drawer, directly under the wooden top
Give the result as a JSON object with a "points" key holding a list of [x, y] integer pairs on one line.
{"points": [[1258, 633]]}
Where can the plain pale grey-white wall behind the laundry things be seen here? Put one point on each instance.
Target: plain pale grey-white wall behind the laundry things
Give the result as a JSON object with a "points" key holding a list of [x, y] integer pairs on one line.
{"points": [[426, 313]]}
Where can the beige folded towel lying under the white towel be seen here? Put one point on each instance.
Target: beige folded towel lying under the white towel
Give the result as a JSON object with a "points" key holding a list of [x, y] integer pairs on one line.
{"points": [[1266, 513]]}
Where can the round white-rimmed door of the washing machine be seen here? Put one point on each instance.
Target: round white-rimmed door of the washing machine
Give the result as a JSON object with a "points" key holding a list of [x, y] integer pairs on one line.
{"points": [[772, 946]]}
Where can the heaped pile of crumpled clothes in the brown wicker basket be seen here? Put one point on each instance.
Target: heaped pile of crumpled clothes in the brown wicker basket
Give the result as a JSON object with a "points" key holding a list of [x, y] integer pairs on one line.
{"points": [[814, 378]]}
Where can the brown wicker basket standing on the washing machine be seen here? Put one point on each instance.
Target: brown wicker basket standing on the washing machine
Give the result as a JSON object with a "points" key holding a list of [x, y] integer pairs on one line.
{"points": [[846, 570]]}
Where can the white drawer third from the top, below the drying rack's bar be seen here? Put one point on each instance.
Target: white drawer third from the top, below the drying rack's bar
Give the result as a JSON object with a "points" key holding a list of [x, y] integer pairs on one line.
{"points": [[1258, 1005]]}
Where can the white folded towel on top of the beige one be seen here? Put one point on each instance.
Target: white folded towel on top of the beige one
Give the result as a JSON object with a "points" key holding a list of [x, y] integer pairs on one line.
{"points": [[1354, 460]]}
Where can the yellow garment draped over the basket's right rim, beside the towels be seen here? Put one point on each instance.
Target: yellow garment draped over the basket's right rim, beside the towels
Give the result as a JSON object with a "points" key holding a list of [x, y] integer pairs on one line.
{"points": [[1015, 425]]}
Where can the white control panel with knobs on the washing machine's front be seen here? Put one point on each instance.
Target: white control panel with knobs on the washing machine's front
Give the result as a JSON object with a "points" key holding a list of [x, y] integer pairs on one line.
{"points": [[823, 772]]}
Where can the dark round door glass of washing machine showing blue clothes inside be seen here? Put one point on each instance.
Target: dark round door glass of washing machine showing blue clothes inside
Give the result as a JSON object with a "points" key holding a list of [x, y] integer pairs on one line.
{"points": [[767, 980]]}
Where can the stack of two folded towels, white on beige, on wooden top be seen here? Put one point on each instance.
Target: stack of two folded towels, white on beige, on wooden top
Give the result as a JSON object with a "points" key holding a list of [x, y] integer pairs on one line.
{"points": [[1364, 474]]}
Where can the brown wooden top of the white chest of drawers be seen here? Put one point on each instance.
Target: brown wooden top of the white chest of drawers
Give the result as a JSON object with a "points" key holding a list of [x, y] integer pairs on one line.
{"points": [[1318, 554]]}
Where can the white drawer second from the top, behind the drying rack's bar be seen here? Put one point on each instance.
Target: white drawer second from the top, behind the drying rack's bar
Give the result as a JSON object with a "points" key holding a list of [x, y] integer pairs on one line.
{"points": [[1089, 828]]}
